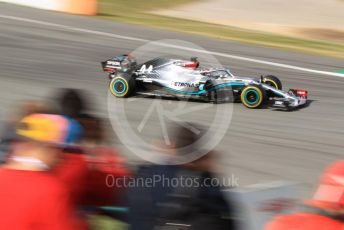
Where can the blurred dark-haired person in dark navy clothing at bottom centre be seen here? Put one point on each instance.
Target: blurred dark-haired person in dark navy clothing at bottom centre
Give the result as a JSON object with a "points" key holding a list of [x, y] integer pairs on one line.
{"points": [[163, 206]]}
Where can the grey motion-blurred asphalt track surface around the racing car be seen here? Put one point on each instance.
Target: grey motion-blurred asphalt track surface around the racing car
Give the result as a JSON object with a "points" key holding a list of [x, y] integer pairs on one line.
{"points": [[259, 145]]}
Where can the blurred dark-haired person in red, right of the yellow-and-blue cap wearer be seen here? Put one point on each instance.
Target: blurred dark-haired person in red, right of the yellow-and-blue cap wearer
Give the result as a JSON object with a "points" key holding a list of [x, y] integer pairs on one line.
{"points": [[104, 161]]}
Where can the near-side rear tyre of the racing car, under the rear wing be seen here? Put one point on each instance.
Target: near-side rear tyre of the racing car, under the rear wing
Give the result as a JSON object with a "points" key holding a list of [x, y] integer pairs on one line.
{"points": [[122, 85]]}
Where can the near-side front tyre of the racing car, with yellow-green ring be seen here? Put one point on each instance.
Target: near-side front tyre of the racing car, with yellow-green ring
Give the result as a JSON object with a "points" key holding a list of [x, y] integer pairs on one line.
{"points": [[253, 96]]}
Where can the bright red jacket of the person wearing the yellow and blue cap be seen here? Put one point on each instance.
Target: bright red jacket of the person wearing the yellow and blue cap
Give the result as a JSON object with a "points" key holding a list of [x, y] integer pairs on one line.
{"points": [[34, 200]]}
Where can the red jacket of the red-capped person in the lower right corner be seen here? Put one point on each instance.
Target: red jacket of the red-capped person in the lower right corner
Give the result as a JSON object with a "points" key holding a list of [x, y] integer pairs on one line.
{"points": [[304, 221]]}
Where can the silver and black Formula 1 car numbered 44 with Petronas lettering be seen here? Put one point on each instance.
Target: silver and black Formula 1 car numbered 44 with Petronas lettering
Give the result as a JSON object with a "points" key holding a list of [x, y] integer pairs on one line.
{"points": [[186, 79]]}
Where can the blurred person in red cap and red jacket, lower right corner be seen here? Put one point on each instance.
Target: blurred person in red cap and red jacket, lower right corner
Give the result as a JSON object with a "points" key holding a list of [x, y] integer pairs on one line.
{"points": [[324, 211]]}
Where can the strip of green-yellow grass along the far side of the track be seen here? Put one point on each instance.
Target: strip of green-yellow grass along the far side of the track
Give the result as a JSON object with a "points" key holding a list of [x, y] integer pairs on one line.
{"points": [[136, 12]]}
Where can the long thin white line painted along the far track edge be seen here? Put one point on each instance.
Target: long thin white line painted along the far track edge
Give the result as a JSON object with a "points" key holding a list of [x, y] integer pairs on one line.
{"points": [[174, 46]]}
